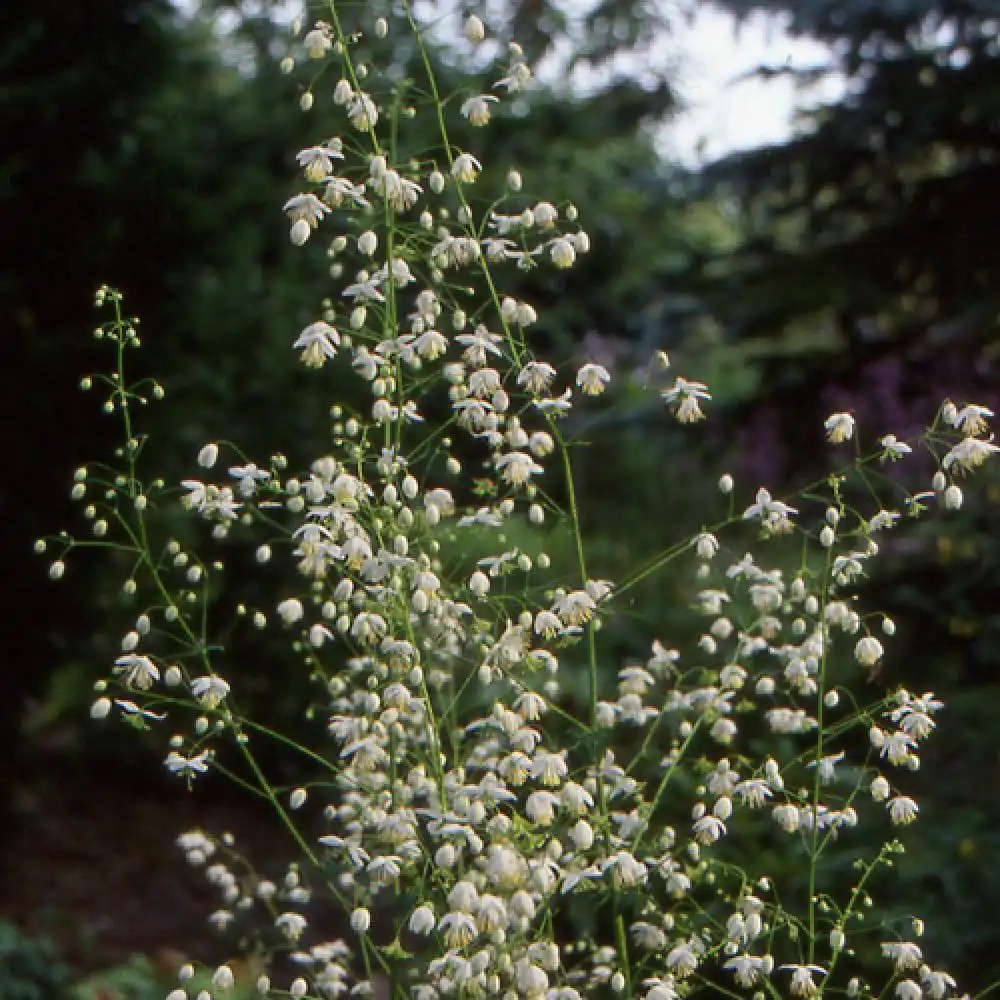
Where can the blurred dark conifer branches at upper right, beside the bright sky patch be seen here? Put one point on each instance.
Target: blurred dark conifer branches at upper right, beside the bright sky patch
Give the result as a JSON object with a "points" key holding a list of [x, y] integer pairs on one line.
{"points": [[868, 251]]}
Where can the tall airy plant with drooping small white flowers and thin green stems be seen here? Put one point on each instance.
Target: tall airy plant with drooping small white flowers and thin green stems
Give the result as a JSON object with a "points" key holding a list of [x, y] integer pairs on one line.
{"points": [[483, 829]]}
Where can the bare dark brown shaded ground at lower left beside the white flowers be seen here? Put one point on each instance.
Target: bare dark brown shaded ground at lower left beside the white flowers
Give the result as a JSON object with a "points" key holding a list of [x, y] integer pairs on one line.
{"points": [[88, 858]]}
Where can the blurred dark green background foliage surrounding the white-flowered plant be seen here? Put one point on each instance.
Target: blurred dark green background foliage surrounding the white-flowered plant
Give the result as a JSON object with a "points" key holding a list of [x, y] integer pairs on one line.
{"points": [[852, 267]]}
